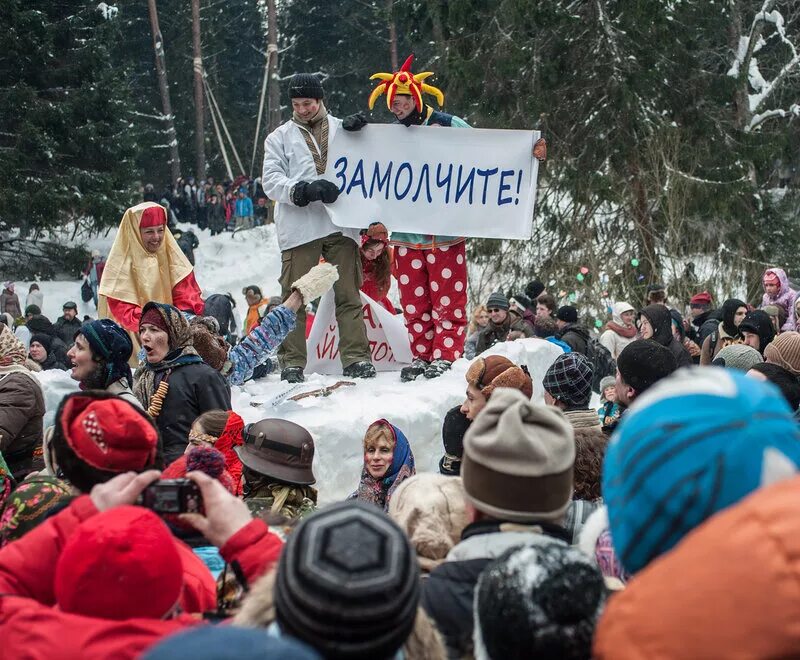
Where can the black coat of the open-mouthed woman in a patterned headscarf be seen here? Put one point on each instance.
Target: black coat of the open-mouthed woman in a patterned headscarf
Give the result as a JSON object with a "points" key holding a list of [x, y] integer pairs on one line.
{"points": [[193, 389]]}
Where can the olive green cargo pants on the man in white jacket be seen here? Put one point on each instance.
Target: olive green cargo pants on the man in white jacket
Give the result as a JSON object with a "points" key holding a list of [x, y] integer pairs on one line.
{"points": [[342, 252]]}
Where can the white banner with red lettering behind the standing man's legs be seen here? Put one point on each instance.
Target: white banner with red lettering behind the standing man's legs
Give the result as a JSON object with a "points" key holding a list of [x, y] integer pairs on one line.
{"points": [[386, 333]]}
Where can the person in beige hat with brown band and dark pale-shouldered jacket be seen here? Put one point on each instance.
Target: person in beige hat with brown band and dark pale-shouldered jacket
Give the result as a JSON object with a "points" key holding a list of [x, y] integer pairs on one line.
{"points": [[517, 474]]}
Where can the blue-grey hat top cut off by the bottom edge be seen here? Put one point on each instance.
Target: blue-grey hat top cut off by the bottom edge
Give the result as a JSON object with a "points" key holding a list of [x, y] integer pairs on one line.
{"points": [[214, 642]]}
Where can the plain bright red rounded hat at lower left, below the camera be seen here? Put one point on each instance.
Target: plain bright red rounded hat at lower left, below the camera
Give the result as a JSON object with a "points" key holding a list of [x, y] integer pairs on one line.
{"points": [[120, 564]]}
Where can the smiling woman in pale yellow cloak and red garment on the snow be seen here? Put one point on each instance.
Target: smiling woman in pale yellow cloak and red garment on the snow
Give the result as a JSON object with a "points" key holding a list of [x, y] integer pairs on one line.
{"points": [[145, 264]]}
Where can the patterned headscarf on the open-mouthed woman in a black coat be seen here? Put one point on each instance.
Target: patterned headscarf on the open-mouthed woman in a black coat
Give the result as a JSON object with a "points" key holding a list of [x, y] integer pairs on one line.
{"points": [[181, 353]]}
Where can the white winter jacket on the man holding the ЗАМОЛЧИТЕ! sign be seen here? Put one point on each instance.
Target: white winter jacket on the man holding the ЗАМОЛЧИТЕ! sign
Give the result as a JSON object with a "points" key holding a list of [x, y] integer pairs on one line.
{"points": [[288, 161]]}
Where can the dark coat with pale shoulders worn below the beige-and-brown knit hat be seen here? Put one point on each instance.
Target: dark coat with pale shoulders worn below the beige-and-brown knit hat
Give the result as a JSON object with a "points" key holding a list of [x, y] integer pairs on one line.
{"points": [[448, 594]]}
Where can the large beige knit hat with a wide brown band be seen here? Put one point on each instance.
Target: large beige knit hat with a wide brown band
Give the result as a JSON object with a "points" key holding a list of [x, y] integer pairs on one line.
{"points": [[518, 460]]}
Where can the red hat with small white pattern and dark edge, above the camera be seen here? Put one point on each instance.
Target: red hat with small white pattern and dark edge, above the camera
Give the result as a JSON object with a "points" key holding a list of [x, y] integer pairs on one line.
{"points": [[108, 434]]}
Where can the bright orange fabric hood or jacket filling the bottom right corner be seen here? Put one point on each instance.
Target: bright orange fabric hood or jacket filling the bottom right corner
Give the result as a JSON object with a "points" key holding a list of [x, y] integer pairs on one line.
{"points": [[730, 589]]}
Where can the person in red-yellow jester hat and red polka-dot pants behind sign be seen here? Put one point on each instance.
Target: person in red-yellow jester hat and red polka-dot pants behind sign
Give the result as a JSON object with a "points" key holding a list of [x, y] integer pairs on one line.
{"points": [[431, 270]]}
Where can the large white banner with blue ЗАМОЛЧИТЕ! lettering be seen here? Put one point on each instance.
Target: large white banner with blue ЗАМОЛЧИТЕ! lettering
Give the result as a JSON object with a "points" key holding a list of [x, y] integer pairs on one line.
{"points": [[456, 182]]}
